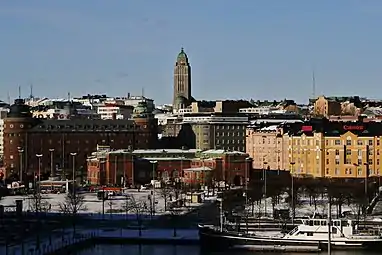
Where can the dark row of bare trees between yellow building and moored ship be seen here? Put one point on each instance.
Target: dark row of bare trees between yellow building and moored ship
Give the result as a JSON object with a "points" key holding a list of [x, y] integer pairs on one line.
{"points": [[355, 195]]}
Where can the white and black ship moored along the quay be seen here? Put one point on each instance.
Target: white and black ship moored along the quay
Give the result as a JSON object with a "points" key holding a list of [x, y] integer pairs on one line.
{"points": [[312, 232]]}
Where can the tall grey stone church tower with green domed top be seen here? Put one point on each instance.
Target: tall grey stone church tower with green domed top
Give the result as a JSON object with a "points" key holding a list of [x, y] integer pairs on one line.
{"points": [[182, 82]]}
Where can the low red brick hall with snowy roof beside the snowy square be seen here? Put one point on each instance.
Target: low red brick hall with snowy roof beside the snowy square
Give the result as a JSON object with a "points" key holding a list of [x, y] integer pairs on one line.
{"points": [[132, 166]]}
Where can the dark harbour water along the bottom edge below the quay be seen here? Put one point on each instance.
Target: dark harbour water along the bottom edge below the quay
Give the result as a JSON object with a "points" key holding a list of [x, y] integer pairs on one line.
{"points": [[183, 250]]}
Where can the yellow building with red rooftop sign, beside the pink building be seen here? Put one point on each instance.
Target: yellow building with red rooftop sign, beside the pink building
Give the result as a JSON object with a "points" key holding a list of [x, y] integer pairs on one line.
{"points": [[339, 151]]}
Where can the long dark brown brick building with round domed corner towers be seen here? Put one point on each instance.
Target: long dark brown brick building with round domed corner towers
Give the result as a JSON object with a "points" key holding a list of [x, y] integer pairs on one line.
{"points": [[58, 146]]}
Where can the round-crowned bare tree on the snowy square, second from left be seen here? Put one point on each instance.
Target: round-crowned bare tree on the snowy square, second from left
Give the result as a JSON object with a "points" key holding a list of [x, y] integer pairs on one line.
{"points": [[72, 204]]}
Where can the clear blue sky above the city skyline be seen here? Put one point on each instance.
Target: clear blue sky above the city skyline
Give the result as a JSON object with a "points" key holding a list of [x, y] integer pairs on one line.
{"points": [[261, 49]]}
